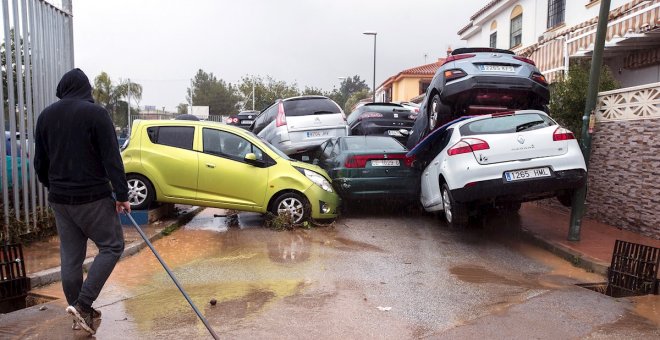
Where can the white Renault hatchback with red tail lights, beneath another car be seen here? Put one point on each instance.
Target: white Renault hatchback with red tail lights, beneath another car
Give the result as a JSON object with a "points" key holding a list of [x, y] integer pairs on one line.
{"points": [[500, 159]]}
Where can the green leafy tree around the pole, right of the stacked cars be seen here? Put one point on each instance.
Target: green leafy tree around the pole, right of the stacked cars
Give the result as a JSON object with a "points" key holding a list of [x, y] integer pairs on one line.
{"points": [[568, 95]]}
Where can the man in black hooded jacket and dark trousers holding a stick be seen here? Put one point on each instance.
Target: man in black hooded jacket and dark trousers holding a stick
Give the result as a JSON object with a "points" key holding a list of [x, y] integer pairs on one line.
{"points": [[77, 158]]}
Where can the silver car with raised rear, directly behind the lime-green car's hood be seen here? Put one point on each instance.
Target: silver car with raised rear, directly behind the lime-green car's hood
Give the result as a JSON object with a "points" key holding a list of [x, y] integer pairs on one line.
{"points": [[300, 124]]}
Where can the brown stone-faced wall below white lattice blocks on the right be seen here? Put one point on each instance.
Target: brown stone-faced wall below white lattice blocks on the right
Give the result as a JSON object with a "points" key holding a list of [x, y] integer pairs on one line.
{"points": [[624, 175]]}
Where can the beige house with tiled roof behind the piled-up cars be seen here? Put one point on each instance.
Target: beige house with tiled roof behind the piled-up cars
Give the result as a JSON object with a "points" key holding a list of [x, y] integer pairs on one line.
{"points": [[407, 84]]}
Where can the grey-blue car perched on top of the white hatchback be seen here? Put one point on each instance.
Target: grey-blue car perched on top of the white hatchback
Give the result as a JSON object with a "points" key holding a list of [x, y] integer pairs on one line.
{"points": [[474, 81]]}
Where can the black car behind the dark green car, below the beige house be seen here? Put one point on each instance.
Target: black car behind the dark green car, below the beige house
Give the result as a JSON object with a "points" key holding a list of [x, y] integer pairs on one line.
{"points": [[382, 119]]}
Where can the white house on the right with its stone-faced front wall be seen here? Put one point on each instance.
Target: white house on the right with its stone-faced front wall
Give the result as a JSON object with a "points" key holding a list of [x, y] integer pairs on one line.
{"points": [[624, 188]]}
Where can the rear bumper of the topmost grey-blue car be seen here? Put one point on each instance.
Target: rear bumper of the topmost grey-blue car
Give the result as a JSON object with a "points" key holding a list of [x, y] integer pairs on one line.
{"points": [[495, 83]]}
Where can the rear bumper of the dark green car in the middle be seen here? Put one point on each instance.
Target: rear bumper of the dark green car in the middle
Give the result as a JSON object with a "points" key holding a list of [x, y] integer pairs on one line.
{"points": [[379, 187]]}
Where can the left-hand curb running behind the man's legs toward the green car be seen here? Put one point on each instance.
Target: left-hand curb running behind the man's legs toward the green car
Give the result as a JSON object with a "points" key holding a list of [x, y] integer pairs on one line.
{"points": [[54, 274]]}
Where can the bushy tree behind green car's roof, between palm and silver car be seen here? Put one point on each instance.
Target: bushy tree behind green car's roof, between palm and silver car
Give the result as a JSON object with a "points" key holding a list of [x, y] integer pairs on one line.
{"points": [[207, 90]]}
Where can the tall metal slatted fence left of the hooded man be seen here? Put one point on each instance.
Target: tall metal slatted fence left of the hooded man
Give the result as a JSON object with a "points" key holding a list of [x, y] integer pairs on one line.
{"points": [[37, 50]]}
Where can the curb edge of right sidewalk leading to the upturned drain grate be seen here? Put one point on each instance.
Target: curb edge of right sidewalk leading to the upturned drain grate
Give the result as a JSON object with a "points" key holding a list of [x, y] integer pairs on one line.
{"points": [[576, 258]]}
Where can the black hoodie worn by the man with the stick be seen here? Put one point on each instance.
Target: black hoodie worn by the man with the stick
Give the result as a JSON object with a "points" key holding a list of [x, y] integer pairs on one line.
{"points": [[76, 152]]}
